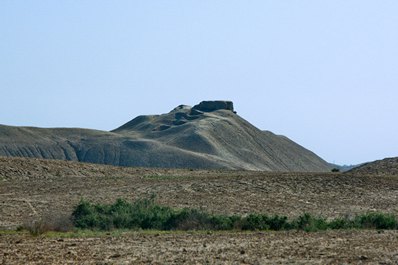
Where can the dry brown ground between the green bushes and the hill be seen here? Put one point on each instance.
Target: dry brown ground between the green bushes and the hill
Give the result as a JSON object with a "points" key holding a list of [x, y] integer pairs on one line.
{"points": [[37, 187]]}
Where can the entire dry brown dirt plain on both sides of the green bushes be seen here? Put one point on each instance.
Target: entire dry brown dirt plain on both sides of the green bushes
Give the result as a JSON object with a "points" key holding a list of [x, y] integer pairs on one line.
{"points": [[31, 187]]}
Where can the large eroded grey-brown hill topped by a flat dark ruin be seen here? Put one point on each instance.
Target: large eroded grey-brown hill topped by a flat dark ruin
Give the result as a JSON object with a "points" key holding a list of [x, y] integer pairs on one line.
{"points": [[209, 135]]}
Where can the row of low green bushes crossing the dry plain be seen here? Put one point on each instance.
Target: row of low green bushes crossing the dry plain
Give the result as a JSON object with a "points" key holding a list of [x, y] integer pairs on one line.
{"points": [[146, 214]]}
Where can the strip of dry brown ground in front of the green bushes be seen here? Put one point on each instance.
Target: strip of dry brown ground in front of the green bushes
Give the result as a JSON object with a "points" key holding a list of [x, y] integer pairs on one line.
{"points": [[332, 247]]}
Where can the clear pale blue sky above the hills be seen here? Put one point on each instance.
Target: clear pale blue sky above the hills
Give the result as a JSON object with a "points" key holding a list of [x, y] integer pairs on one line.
{"points": [[323, 73]]}
